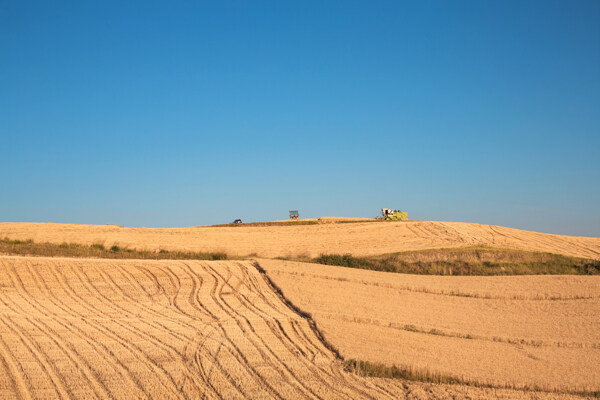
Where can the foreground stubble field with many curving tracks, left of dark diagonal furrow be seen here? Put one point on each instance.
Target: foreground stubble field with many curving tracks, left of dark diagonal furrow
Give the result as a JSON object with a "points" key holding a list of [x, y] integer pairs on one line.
{"points": [[172, 329]]}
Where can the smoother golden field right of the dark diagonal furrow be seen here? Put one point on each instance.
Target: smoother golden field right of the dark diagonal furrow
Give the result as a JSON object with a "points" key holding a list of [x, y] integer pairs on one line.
{"points": [[516, 331]]}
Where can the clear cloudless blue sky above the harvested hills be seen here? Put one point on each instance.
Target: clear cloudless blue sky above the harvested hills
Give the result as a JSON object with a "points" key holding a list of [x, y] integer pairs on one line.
{"points": [[186, 113]]}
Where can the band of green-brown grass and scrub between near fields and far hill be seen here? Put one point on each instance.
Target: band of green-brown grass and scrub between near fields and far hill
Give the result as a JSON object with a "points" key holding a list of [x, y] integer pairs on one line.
{"points": [[471, 261]]}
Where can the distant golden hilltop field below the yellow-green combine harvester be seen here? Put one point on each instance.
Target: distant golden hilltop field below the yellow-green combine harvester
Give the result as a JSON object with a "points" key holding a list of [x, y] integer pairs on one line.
{"points": [[291, 240]]}
